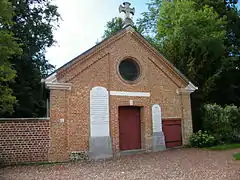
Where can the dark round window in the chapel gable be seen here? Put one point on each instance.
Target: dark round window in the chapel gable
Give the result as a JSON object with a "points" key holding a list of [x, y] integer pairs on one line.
{"points": [[129, 70]]}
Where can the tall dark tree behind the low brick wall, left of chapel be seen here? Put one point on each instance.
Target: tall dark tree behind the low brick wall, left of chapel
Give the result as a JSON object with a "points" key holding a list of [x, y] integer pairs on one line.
{"points": [[34, 22]]}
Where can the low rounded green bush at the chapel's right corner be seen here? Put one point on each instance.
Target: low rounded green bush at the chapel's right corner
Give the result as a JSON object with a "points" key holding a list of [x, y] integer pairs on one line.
{"points": [[202, 139]]}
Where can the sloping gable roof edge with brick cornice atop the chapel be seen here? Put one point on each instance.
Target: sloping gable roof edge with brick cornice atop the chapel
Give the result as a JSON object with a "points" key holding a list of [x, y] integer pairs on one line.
{"points": [[108, 40]]}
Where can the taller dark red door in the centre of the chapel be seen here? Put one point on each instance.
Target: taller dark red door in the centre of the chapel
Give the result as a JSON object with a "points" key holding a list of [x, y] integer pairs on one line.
{"points": [[129, 128]]}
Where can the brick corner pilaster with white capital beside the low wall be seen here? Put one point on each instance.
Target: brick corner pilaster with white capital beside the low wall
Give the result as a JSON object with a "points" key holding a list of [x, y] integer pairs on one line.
{"points": [[58, 150]]}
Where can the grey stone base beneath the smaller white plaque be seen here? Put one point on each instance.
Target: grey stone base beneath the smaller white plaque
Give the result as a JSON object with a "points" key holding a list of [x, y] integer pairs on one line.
{"points": [[158, 142]]}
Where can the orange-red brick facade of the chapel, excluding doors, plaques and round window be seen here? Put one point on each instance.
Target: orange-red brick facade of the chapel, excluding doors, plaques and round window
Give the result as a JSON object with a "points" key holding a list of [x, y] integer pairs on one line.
{"points": [[70, 93]]}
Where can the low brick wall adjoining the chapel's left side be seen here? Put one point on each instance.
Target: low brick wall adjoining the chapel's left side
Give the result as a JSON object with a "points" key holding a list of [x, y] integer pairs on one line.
{"points": [[24, 140]]}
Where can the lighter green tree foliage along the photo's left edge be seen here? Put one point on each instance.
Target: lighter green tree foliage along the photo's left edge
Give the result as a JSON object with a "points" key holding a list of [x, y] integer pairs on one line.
{"points": [[8, 47]]}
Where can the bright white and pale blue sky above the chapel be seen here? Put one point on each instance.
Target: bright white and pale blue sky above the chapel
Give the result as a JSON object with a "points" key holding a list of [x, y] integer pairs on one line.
{"points": [[83, 24]]}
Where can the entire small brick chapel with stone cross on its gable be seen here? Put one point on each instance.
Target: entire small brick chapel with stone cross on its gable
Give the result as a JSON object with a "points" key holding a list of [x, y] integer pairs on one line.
{"points": [[120, 97]]}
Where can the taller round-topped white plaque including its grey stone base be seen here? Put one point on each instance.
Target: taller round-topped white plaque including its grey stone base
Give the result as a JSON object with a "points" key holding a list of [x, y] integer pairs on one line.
{"points": [[100, 144]]}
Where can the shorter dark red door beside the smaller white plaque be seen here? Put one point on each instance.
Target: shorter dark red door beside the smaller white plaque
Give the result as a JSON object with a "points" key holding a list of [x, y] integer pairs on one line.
{"points": [[173, 132]]}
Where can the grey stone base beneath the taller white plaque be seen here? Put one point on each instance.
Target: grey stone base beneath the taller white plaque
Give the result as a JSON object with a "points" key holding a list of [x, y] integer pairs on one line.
{"points": [[100, 148]]}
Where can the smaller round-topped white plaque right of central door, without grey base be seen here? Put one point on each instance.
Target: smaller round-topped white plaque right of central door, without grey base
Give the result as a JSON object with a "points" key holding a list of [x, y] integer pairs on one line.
{"points": [[156, 118]]}
